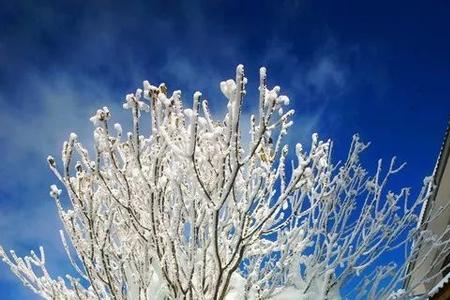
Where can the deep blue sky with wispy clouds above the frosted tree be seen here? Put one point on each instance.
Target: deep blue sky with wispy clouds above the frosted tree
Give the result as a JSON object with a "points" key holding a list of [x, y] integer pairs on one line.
{"points": [[381, 69]]}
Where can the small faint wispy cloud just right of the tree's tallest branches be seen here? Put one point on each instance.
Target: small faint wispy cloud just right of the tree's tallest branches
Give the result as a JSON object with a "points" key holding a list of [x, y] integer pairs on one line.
{"points": [[313, 83]]}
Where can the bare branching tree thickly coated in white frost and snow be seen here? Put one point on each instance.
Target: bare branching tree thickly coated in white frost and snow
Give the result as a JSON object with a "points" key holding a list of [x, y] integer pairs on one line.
{"points": [[197, 209]]}
